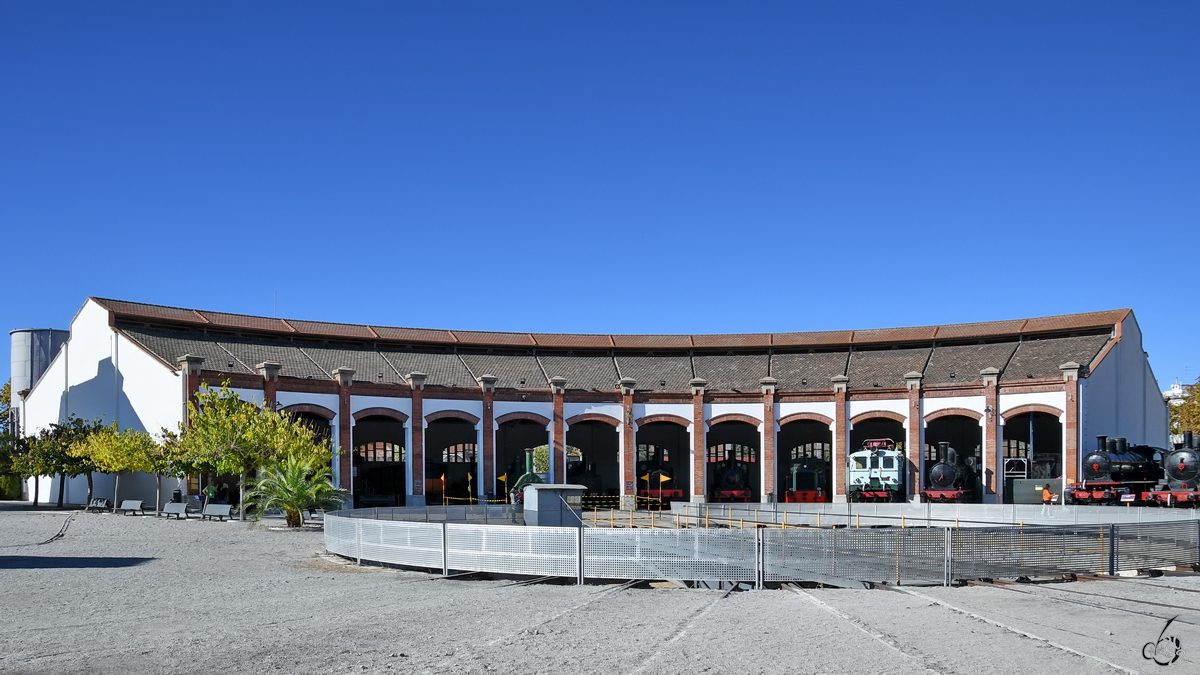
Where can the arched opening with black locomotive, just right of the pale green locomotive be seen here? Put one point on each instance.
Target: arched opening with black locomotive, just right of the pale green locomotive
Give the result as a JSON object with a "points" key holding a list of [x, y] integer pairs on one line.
{"points": [[965, 439]]}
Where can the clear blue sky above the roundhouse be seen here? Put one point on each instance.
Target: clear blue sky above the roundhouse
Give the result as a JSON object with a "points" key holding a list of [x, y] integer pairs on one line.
{"points": [[613, 168]]}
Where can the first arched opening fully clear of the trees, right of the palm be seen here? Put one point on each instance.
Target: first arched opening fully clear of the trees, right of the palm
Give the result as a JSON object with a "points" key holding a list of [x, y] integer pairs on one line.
{"points": [[380, 461]]}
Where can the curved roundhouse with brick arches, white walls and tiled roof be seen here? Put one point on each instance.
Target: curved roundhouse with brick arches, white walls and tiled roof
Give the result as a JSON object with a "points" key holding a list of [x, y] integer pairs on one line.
{"points": [[423, 416]]}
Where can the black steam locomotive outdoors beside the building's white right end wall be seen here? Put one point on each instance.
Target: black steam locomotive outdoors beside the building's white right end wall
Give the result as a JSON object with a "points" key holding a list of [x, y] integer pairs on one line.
{"points": [[1118, 473]]}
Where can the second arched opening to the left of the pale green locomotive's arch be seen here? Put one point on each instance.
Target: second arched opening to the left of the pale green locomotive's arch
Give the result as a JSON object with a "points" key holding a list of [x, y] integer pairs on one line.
{"points": [[733, 463]]}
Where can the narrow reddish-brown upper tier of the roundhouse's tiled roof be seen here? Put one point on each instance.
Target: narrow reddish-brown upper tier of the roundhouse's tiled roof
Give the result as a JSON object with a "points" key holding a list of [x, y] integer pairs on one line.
{"points": [[159, 314]]}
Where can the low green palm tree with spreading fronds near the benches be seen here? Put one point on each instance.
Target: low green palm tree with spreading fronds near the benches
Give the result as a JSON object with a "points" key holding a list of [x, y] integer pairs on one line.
{"points": [[295, 485]]}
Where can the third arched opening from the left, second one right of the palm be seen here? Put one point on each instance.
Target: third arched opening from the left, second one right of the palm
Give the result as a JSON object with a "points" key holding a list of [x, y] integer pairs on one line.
{"points": [[451, 475]]}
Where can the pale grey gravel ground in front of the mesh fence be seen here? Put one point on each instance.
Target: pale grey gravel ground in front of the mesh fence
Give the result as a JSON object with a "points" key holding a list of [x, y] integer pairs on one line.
{"points": [[141, 595]]}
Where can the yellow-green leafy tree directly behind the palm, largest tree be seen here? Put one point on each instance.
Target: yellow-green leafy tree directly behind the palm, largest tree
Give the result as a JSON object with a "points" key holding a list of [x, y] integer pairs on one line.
{"points": [[226, 434]]}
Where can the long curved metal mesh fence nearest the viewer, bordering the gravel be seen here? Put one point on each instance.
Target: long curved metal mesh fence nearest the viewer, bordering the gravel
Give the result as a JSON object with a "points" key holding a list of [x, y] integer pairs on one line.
{"points": [[881, 555]]}
